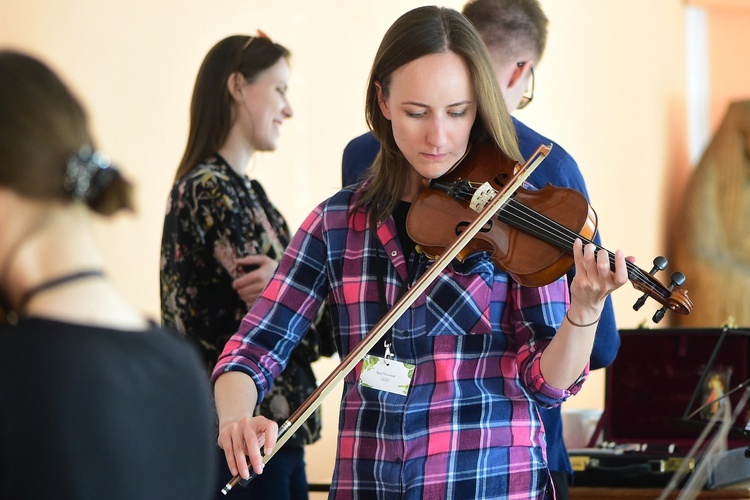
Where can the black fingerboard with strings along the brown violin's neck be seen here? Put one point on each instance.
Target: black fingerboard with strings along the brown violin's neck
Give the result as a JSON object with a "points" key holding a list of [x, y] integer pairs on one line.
{"points": [[518, 214]]}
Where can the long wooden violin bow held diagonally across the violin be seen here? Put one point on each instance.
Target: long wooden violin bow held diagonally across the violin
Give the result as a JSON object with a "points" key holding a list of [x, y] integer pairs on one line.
{"points": [[315, 399]]}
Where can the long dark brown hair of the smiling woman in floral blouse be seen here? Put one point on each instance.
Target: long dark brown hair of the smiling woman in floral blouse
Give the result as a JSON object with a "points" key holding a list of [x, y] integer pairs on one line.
{"points": [[211, 106]]}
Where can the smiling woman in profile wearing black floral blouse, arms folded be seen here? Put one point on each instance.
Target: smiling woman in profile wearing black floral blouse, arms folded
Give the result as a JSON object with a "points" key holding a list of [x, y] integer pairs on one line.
{"points": [[223, 238]]}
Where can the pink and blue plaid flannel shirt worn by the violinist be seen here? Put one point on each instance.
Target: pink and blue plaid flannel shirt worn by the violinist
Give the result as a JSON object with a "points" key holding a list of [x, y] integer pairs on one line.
{"points": [[469, 426]]}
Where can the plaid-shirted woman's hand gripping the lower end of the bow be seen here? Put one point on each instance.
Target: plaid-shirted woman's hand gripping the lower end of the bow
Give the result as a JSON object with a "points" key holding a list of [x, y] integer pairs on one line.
{"points": [[242, 439]]}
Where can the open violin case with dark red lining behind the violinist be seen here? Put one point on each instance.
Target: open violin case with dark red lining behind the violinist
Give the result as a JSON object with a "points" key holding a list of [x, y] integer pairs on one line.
{"points": [[657, 391]]}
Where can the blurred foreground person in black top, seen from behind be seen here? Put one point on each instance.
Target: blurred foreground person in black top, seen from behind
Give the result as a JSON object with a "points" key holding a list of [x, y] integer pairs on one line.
{"points": [[95, 400]]}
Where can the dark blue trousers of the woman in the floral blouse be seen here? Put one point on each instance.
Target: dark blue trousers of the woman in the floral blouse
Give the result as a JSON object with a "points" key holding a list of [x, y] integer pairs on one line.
{"points": [[283, 478]]}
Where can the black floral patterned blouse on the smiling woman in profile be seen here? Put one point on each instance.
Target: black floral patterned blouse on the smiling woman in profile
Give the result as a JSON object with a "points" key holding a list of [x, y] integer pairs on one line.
{"points": [[215, 216]]}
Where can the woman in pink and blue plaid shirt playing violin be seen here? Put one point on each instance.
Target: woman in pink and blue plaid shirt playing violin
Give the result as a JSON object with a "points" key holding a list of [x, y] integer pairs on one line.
{"points": [[448, 409]]}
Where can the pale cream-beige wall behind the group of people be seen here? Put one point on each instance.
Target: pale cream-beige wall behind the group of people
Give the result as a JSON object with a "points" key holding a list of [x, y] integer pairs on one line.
{"points": [[611, 90]]}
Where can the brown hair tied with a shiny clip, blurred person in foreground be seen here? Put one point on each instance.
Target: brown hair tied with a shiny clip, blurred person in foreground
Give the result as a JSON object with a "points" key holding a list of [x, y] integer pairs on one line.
{"points": [[43, 131]]}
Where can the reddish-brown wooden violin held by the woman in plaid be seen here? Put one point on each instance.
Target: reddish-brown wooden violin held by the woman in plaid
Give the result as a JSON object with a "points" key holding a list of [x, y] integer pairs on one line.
{"points": [[531, 236]]}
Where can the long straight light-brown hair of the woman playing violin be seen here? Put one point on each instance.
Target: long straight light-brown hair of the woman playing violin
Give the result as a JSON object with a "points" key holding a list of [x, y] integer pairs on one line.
{"points": [[420, 32]]}
